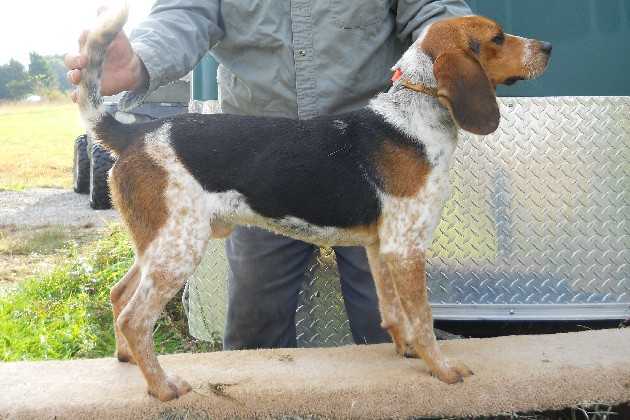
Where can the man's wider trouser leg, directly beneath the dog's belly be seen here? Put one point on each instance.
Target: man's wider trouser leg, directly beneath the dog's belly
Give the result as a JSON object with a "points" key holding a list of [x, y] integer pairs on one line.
{"points": [[265, 276]]}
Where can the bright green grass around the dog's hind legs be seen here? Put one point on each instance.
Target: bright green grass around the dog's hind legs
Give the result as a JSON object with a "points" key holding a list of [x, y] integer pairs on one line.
{"points": [[66, 314]]}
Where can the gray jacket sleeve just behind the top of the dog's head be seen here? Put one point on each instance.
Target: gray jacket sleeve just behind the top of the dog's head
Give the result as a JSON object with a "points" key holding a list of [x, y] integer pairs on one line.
{"points": [[412, 16]]}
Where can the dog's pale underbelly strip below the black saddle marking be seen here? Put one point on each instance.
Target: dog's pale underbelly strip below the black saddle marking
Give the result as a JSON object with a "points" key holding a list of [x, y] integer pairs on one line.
{"points": [[231, 208]]}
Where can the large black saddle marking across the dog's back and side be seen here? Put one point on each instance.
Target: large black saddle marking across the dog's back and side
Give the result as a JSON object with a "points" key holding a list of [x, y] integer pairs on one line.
{"points": [[321, 170]]}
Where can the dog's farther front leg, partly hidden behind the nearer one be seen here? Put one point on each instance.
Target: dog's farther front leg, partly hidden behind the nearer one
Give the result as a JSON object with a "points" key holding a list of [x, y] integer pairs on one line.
{"points": [[388, 301]]}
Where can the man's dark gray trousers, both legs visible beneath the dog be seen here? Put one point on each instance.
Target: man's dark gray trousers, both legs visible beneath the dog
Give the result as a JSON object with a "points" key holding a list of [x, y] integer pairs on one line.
{"points": [[266, 274]]}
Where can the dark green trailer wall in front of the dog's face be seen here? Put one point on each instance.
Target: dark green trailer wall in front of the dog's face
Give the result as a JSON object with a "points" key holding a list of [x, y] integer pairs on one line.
{"points": [[591, 43]]}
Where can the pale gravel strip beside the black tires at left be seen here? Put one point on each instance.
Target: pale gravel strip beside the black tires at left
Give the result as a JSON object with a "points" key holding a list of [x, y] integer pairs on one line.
{"points": [[50, 206]]}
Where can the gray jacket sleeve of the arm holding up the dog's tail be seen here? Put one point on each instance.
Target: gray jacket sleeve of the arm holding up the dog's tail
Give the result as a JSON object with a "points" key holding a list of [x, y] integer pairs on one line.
{"points": [[171, 40]]}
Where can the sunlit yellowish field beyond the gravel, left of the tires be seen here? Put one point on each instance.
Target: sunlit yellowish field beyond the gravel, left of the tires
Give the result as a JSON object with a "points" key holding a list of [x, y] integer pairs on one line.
{"points": [[37, 144]]}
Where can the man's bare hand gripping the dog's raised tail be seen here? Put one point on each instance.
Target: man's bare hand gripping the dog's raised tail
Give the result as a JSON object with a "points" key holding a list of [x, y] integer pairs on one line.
{"points": [[122, 69]]}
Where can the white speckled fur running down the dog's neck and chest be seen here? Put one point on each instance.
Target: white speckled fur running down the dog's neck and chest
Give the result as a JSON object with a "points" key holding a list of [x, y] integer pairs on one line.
{"points": [[408, 223]]}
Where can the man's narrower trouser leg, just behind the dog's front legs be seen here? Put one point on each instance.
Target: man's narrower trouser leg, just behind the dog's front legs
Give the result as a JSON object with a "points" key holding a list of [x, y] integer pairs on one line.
{"points": [[359, 295]]}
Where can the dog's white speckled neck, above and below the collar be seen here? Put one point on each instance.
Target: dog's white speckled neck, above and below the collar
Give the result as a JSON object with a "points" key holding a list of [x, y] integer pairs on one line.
{"points": [[420, 116]]}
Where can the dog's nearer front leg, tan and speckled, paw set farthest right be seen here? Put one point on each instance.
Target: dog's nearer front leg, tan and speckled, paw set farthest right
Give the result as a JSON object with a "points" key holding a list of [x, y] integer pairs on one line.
{"points": [[407, 271]]}
